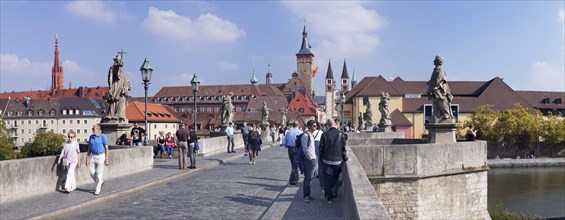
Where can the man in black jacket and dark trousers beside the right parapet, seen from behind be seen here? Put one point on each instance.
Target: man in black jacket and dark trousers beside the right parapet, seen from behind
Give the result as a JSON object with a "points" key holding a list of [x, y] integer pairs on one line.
{"points": [[332, 154]]}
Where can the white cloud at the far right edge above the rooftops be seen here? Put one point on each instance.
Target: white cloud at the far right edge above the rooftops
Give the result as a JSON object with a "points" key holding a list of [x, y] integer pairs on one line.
{"points": [[546, 77]]}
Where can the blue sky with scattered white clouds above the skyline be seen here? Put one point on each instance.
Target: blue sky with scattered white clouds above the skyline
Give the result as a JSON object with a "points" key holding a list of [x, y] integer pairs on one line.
{"points": [[522, 42]]}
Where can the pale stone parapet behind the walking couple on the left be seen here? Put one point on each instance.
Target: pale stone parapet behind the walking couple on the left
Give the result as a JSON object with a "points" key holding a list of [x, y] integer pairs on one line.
{"points": [[24, 178]]}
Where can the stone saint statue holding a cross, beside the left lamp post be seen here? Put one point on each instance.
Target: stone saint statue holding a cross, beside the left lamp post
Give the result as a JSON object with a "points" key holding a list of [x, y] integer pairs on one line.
{"points": [[119, 90]]}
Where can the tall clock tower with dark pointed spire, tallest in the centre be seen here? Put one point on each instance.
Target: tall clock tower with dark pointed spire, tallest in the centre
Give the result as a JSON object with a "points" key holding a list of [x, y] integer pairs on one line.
{"points": [[304, 63]]}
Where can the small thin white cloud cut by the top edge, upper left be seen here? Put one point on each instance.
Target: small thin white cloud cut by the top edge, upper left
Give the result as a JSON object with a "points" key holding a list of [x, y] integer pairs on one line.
{"points": [[97, 10]]}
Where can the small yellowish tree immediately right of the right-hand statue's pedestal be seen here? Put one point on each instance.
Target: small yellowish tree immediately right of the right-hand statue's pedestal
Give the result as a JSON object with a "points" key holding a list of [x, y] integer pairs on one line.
{"points": [[484, 119]]}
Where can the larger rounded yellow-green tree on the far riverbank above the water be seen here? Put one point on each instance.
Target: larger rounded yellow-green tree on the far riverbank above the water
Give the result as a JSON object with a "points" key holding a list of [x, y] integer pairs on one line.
{"points": [[518, 126]]}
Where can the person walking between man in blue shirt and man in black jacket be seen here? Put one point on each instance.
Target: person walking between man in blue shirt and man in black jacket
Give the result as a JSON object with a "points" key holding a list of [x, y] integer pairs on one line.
{"points": [[309, 160]]}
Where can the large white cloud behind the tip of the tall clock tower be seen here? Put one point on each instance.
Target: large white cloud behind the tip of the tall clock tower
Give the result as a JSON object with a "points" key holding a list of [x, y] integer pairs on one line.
{"points": [[341, 28]]}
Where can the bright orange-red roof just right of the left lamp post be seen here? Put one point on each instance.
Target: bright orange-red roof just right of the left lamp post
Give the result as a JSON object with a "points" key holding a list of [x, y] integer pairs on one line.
{"points": [[135, 112]]}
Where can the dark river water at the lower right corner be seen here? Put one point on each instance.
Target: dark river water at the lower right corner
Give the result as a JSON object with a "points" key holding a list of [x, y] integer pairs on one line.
{"points": [[538, 190]]}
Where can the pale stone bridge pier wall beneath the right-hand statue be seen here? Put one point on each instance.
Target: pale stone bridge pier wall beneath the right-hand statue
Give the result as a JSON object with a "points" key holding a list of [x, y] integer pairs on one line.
{"points": [[418, 180]]}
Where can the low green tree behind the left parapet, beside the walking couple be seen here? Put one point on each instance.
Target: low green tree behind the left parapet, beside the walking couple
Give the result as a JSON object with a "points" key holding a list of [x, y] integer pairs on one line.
{"points": [[45, 144]]}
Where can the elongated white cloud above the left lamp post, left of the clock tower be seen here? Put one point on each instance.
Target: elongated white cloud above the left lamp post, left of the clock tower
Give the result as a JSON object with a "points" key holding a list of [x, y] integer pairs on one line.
{"points": [[207, 28]]}
